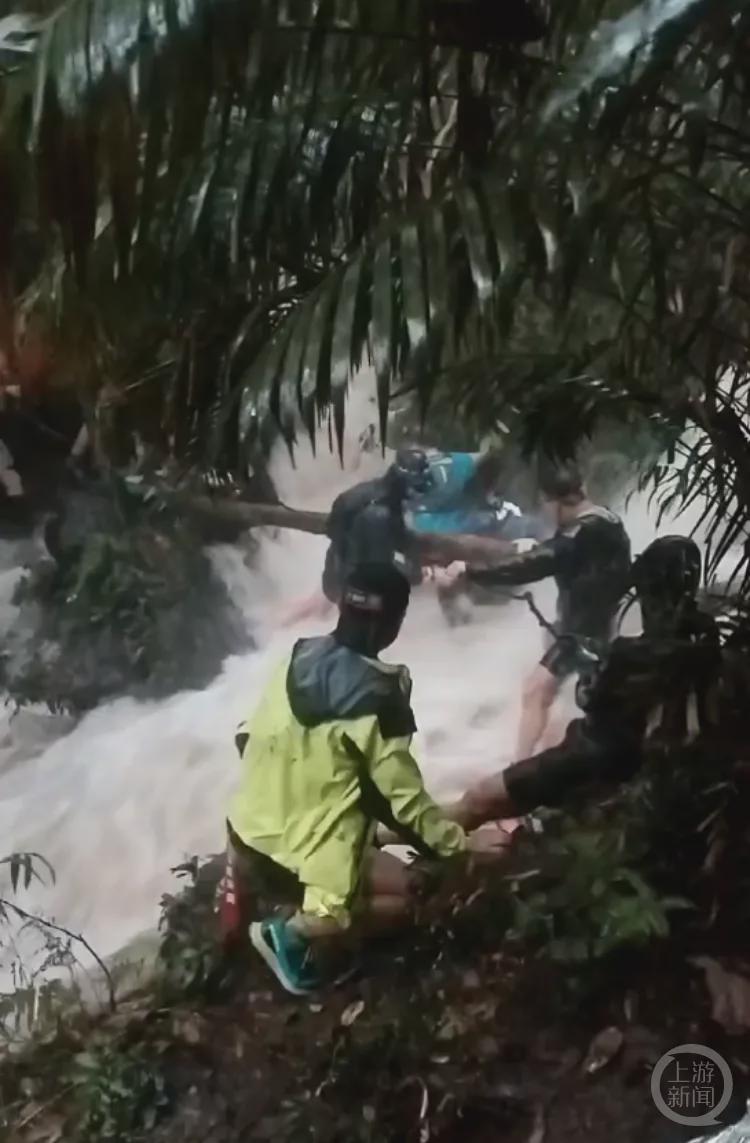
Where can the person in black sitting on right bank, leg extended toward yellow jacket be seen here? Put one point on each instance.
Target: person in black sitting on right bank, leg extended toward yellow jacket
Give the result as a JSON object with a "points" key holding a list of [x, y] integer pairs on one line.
{"points": [[650, 689]]}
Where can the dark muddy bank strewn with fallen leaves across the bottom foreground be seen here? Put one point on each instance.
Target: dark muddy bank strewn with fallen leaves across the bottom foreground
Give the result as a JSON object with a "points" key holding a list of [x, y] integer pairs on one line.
{"points": [[449, 1036]]}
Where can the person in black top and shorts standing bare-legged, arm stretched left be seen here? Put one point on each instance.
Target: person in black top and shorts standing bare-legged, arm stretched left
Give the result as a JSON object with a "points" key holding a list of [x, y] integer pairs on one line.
{"points": [[589, 557]]}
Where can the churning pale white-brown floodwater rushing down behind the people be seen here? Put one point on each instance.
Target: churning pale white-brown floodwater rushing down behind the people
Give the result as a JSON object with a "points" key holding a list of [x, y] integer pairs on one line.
{"points": [[137, 787]]}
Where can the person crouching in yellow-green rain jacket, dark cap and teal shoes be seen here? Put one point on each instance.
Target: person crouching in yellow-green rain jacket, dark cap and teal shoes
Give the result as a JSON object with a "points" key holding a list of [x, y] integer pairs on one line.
{"points": [[326, 757]]}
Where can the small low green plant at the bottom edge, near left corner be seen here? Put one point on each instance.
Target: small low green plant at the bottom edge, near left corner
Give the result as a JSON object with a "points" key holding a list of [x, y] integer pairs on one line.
{"points": [[119, 1091]]}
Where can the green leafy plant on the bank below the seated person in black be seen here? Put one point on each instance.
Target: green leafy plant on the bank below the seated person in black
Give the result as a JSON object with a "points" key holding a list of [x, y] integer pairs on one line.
{"points": [[591, 899]]}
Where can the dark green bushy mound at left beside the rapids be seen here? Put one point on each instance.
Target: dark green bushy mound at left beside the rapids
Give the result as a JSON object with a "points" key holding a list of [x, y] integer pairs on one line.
{"points": [[131, 605]]}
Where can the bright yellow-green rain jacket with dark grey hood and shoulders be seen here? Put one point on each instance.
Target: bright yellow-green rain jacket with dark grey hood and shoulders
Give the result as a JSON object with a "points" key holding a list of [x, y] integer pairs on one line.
{"points": [[325, 757]]}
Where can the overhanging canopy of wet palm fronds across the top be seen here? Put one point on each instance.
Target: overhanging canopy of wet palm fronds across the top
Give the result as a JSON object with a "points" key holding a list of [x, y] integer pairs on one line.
{"points": [[553, 223]]}
